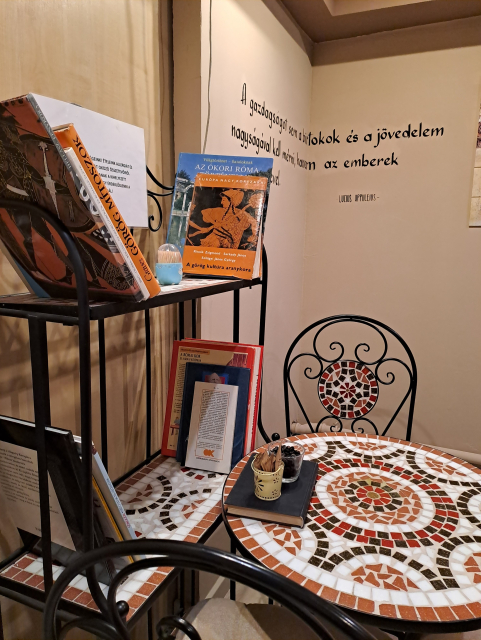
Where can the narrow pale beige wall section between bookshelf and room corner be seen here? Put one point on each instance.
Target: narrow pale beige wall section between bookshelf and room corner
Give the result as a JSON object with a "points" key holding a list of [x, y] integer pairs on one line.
{"points": [[250, 45]]}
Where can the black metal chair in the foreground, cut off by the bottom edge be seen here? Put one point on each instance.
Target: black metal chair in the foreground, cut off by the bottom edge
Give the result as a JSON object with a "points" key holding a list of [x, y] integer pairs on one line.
{"points": [[315, 613]]}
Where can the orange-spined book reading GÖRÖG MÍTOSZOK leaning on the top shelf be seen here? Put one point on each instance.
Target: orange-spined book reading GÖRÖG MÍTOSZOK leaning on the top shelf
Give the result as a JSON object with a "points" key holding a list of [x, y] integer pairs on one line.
{"points": [[103, 205]]}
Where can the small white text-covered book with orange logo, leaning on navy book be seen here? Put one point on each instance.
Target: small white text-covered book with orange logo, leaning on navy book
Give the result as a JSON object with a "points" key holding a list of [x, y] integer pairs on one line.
{"points": [[212, 425]]}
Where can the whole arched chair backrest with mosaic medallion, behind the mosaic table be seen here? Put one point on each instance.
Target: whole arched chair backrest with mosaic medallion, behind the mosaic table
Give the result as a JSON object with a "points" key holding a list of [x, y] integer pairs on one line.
{"points": [[350, 372]]}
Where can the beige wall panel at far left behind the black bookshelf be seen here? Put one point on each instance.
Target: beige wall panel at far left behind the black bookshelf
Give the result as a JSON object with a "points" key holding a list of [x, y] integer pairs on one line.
{"points": [[112, 57]]}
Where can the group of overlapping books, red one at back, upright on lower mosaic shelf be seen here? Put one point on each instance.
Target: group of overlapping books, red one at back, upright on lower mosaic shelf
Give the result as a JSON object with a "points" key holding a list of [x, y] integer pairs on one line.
{"points": [[212, 403]]}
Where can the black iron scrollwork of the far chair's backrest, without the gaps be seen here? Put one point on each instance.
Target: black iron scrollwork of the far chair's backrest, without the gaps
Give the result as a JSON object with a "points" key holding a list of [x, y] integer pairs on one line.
{"points": [[361, 357]]}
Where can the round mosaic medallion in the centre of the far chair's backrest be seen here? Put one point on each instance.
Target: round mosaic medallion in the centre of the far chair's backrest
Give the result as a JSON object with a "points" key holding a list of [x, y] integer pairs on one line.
{"points": [[348, 389]]}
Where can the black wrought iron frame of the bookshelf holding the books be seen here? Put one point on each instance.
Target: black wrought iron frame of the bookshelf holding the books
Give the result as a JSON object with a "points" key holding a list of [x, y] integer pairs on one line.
{"points": [[81, 313]]}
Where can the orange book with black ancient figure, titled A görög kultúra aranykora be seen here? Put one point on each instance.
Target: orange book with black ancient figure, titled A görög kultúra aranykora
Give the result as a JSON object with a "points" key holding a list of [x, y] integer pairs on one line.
{"points": [[224, 231]]}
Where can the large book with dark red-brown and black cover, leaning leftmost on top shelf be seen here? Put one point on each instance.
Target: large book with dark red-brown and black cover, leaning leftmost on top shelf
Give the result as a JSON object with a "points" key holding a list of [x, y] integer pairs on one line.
{"points": [[44, 176]]}
